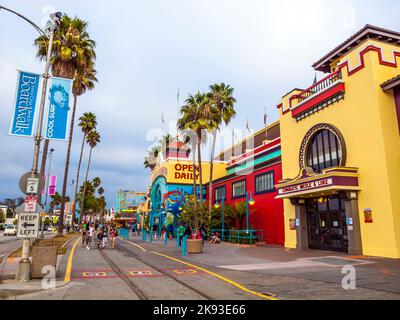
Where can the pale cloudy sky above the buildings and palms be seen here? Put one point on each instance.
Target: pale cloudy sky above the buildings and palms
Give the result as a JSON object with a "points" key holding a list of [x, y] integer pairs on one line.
{"points": [[147, 50]]}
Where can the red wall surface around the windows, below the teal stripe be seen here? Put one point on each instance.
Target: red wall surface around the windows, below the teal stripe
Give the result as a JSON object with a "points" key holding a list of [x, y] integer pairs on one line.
{"points": [[267, 212]]}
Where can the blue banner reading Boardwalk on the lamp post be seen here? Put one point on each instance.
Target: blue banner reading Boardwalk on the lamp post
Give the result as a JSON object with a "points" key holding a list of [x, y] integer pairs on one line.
{"points": [[25, 104]]}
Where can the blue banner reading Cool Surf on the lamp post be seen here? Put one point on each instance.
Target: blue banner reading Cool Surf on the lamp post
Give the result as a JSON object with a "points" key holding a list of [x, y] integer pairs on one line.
{"points": [[58, 108]]}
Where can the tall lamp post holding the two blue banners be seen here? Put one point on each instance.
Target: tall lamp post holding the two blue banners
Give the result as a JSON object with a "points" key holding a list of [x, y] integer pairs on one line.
{"points": [[24, 267]]}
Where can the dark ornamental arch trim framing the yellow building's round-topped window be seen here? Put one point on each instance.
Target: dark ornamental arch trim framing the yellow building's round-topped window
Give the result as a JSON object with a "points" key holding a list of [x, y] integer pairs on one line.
{"points": [[311, 133]]}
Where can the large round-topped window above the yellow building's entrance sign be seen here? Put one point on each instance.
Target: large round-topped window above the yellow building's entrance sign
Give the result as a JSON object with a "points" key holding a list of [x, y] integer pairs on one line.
{"points": [[324, 151]]}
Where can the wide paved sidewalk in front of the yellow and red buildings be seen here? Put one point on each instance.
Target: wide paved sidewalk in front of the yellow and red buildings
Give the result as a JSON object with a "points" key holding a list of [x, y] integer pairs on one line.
{"points": [[371, 272]]}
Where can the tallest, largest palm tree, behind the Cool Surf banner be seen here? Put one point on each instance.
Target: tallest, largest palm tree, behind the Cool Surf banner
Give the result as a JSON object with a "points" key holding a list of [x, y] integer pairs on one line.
{"points": [[73, 55]]}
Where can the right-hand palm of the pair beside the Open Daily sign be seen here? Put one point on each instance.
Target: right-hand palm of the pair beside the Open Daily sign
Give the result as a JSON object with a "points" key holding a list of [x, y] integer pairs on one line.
{"points": [[221, 97]]}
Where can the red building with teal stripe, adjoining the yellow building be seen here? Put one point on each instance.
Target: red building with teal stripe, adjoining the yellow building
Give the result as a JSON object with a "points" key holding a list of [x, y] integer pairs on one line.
{"points": [[254, 166]]}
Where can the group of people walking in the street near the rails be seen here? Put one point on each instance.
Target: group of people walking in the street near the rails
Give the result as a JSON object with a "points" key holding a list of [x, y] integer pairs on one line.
{"points": [[101, 233]]}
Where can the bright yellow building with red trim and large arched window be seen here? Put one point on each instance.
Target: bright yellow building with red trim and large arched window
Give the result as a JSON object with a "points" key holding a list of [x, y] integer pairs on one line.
{"points": [[341, 150]]}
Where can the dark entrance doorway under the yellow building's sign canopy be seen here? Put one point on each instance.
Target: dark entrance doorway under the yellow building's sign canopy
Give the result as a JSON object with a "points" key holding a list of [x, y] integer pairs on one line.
{"points": [[327, 227]]}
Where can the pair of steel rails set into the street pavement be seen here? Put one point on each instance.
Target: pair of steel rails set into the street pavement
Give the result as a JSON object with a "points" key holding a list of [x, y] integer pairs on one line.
{"points": [[141, 295]]}
